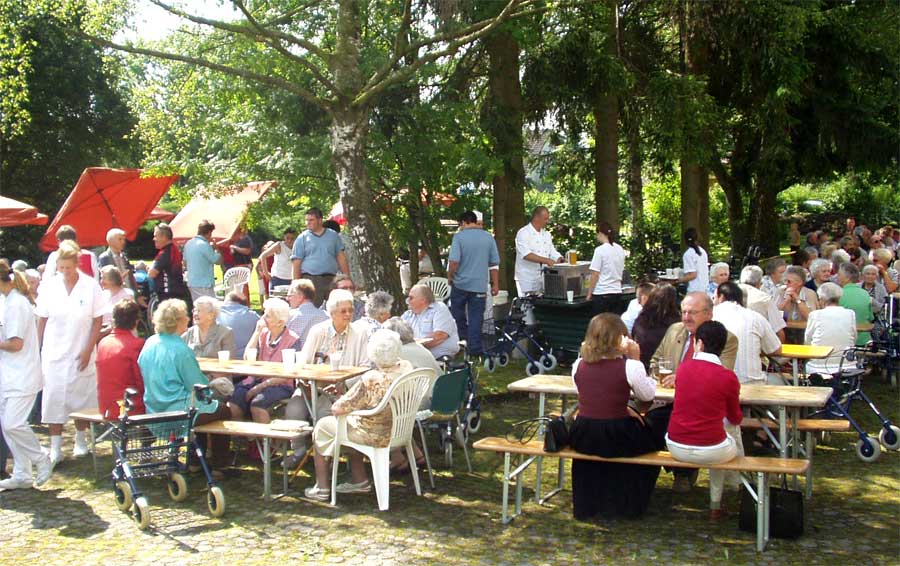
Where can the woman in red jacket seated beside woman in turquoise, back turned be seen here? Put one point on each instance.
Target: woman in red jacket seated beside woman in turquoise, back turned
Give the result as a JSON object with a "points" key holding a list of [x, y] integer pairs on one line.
{"points": [[117, 354]]}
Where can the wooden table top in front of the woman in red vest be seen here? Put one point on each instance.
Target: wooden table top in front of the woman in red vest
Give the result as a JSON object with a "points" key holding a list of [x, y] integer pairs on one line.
{"points": [[775, 395]]}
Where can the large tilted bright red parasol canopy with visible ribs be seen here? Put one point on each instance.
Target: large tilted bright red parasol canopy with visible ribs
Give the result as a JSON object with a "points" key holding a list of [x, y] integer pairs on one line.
{"points": [[107, 198]]}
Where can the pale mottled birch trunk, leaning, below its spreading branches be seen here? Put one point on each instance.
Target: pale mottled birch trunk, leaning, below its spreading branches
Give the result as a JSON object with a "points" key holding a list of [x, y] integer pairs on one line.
{"points": [[349, 132]]}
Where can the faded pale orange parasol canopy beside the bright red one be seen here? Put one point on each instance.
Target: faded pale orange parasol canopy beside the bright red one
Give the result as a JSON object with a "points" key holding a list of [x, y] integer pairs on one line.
{"points": [[226, 211]]}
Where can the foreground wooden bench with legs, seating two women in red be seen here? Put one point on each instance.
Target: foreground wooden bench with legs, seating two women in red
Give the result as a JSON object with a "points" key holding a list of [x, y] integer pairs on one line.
{"points": [[746, 465]]}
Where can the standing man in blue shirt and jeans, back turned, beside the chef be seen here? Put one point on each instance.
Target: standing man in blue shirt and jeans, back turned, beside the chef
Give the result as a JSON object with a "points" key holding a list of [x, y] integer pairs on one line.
{"points": [[473, 254]]}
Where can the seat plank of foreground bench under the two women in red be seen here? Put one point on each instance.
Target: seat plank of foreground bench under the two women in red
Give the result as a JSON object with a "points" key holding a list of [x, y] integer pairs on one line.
{"points": [[740, 463]]}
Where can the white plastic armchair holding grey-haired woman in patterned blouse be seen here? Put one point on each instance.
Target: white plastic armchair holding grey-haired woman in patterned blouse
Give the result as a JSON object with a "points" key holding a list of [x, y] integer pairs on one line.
{"points": [[402, 399]]}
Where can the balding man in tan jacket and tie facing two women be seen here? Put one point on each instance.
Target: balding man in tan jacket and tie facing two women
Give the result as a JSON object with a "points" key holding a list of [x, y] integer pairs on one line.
{"points": [[677, 346]]}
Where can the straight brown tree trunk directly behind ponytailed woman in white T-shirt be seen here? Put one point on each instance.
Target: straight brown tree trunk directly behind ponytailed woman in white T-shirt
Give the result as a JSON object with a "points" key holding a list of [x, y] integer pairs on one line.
{"points": [[606, 135]]}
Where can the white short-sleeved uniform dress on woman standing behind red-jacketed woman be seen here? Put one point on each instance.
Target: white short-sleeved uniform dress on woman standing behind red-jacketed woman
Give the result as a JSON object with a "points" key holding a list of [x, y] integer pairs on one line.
{"points": [[68, 328]]}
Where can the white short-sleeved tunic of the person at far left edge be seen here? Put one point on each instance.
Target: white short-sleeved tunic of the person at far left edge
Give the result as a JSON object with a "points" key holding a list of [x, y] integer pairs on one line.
{"points": [[21, 371]]}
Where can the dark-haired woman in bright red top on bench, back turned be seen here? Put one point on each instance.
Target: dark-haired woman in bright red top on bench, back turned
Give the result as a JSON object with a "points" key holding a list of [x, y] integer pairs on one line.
{"points": [[704, 425]]}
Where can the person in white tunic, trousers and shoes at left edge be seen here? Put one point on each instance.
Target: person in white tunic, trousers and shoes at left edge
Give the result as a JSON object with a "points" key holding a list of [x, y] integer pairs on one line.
{"points": [[20, 381]]}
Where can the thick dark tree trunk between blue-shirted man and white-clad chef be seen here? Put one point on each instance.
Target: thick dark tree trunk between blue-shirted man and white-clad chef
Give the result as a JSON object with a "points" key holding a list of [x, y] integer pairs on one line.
{"points": [[504, 120]]}
